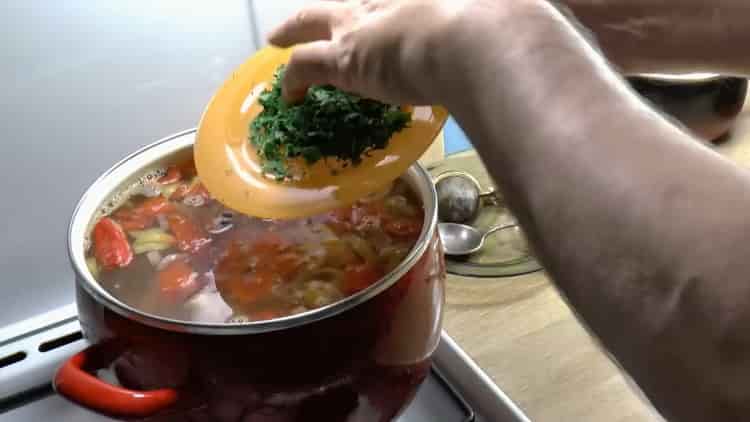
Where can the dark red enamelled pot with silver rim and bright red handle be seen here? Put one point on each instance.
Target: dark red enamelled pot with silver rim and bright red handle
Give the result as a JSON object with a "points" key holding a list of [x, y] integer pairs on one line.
{"points": [[361, 359]]}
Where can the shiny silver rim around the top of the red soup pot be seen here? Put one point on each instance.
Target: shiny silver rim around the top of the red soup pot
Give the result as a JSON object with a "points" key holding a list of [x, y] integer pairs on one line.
{"points": [[108, 183]]}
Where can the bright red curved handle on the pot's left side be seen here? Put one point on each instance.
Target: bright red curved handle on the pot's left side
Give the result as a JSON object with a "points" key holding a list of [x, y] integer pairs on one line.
{"points": [[74, 383]]}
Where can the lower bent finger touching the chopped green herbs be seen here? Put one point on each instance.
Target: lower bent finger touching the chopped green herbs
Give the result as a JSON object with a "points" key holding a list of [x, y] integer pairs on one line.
{"points": [[310, 64]]}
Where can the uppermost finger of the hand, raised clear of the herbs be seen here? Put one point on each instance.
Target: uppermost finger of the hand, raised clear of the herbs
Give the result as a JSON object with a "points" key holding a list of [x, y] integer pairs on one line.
{"points": [[313, 23]]}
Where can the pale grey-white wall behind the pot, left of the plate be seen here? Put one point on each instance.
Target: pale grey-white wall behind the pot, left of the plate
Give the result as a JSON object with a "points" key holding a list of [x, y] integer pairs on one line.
{"points": [[85, 82]]}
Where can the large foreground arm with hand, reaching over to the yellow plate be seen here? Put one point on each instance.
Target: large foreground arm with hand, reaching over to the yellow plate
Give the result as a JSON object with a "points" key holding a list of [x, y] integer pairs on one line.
{"points": [[641, 228]]}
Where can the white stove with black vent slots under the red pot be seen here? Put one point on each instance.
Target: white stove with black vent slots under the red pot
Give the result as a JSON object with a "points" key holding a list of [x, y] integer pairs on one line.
{"points": [[457, 390]]}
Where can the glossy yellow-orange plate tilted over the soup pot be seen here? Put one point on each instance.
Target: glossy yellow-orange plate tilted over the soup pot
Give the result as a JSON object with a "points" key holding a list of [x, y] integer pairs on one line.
{"points": [[229, 167]]}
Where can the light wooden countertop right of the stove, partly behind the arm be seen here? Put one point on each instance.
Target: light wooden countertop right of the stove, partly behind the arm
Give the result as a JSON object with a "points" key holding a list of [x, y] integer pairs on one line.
{"points": [[526, 338]]}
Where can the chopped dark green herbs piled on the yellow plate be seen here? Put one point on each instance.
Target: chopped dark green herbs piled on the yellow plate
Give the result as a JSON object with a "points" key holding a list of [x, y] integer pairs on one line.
{"points": [[328, 123]]}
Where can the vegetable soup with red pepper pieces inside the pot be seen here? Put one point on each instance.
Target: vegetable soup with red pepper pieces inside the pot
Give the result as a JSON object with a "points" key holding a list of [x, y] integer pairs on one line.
{"points": [[172, 250]]}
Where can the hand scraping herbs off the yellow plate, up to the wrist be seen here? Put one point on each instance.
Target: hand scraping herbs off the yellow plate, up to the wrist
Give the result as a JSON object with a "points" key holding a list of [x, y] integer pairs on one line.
{"points": [[398, 51]]}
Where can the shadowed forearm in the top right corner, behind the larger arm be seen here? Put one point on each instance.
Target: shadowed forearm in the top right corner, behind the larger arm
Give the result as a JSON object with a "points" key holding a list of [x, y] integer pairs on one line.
{"points": [[653, 36]]}
